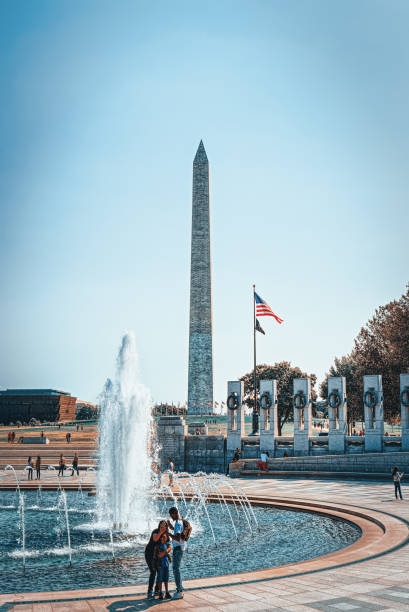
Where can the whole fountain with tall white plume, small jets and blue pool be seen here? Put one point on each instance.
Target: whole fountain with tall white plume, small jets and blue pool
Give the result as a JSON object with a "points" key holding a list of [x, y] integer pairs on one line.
{"points": [[104, 536]]}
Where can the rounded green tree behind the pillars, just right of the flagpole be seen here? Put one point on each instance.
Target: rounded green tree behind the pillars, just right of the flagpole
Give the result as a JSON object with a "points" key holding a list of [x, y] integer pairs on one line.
{"points": [[284, 374]]}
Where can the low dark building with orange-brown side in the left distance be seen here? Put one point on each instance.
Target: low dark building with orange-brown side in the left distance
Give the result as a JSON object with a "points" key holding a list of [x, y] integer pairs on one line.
{"points": [[41, 404]]}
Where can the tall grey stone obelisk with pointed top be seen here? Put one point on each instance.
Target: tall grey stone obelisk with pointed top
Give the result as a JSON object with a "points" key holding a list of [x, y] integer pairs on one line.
{"points": [[200, 384]]}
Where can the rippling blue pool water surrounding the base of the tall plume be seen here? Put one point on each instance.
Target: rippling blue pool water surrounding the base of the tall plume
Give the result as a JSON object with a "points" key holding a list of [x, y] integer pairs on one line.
{"points": [[282, 537]]}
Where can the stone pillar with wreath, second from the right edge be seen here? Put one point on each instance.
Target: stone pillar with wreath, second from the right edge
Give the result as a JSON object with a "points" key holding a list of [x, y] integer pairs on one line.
{"points": [[373, 409]]}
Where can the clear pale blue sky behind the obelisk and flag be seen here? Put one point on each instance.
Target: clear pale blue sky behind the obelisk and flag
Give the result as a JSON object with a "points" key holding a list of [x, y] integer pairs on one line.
{"points": [[303, 109]]}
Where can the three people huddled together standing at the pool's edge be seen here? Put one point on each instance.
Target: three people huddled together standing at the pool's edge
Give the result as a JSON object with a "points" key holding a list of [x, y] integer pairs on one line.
{"points": [[166, 545]]}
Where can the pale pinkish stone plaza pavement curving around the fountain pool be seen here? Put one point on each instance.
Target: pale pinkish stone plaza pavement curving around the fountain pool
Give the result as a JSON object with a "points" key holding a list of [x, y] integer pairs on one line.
{"points": [[378, 583]]}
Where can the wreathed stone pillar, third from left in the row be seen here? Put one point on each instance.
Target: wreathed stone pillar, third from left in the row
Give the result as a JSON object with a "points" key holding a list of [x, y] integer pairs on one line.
{"points": [[302, 403]]}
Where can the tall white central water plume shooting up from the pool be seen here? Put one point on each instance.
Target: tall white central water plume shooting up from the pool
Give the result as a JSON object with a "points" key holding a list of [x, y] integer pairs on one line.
{"points": [[123, 481]]}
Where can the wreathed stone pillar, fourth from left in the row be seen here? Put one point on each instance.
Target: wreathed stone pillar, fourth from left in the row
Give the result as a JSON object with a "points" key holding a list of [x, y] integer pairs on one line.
{"points": [[337, 415]]}
